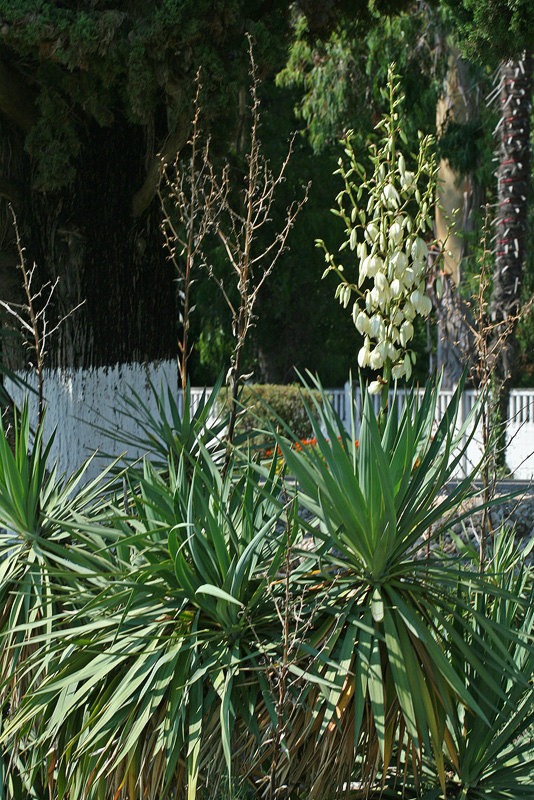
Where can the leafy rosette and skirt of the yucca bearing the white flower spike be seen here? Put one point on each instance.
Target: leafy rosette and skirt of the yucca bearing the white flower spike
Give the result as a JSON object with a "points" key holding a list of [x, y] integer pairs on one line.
{"points": [[394, 619]]}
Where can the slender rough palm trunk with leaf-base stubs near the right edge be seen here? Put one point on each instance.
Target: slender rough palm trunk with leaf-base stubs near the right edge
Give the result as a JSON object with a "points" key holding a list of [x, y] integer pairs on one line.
{"points": [[513, 179]]}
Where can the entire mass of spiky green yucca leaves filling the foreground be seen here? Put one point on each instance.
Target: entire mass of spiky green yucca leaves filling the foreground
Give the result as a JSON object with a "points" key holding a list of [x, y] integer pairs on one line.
{"points": [[179, 643]]}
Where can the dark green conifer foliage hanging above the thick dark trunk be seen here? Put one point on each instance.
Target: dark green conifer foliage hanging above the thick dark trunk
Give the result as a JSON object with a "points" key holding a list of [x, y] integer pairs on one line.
{"points": [[115, 64]]}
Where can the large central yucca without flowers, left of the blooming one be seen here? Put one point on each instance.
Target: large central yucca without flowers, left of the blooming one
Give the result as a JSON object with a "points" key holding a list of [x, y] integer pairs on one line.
{"points": [[160, 686]]}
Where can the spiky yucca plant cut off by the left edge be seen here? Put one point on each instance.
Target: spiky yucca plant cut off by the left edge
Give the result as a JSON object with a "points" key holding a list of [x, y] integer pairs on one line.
{"points": [[44, 571]]}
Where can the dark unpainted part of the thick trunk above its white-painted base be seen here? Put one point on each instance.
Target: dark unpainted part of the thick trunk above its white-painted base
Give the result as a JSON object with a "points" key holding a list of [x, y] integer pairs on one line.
{"points": [[87, 237]]}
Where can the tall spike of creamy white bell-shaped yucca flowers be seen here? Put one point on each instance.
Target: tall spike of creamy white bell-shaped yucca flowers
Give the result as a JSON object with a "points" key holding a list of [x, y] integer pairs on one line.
{"points": [[387, 236]]}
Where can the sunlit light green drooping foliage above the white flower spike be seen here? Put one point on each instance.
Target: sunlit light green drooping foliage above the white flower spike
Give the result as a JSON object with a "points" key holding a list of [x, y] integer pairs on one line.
{"points": [[339, 79]]}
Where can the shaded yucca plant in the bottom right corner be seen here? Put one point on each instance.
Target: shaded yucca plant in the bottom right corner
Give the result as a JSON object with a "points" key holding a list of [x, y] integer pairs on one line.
{"points": [[491, 756]]}
